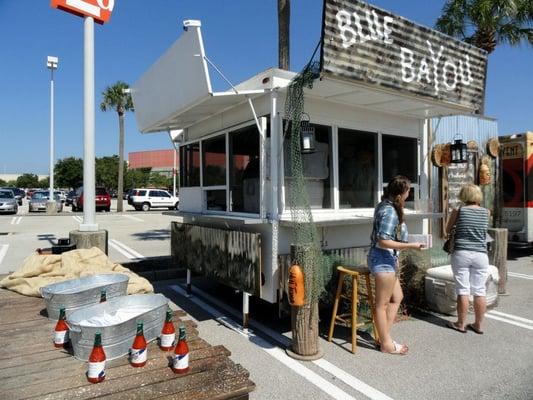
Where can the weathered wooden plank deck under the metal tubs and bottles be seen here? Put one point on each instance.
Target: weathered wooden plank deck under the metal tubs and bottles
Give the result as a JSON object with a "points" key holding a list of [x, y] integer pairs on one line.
{"points": [[30, 366]]}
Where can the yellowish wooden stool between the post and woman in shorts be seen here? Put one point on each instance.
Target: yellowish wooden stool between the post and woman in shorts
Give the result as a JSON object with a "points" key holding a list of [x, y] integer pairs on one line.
{"points": [[355, 273]]}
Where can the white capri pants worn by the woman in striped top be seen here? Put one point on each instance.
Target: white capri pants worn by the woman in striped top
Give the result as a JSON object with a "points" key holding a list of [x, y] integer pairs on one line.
{"points": [[470, 272]]}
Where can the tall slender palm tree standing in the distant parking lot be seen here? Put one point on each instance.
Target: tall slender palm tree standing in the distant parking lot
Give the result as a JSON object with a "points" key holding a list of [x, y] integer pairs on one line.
{"points": [[117, 98]]}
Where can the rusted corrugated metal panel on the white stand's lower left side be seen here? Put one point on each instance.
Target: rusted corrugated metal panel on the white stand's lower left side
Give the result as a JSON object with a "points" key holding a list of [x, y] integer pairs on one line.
{"points": [[231, 257]]}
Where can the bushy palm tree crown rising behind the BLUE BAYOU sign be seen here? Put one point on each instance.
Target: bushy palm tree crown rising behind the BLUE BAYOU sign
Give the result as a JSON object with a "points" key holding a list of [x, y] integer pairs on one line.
{"points": [[488, 23]]}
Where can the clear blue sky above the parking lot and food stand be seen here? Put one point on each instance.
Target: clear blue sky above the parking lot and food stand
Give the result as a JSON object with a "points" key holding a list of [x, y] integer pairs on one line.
{"points": [[240, 37]]}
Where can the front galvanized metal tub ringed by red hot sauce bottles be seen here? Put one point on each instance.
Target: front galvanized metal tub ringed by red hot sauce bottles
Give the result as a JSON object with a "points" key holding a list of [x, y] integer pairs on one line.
{"points": [[117, 337]]}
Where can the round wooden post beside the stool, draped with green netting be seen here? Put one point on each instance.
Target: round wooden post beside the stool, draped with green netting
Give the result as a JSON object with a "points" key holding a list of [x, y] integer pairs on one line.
{"points": [[304, 324]]}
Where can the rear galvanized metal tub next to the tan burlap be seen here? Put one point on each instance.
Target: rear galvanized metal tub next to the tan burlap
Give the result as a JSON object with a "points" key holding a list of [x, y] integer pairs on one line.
{"points": [[81, 292]]}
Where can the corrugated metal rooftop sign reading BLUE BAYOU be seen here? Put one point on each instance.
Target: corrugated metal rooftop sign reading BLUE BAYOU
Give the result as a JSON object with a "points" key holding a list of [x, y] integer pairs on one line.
{"points": [[368, 45]]}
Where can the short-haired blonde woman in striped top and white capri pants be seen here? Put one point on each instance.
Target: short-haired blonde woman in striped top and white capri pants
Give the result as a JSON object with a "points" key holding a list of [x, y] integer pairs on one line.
{"points": [[470, 263]]}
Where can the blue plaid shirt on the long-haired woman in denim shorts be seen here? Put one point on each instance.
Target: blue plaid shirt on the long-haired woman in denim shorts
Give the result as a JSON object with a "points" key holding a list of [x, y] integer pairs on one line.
{"points": [[386, 224]]}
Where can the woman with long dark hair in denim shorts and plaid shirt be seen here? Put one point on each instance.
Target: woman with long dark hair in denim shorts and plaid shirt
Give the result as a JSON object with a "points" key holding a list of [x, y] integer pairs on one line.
{"points": [[389, 235]]}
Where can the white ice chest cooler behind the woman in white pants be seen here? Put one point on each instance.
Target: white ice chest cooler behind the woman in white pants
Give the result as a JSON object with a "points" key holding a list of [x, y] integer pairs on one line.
{"points": [[440, 289]]}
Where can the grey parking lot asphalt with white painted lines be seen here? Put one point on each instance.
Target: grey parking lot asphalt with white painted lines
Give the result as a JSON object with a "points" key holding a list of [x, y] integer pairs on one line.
{"points": [[441, 364]]}
